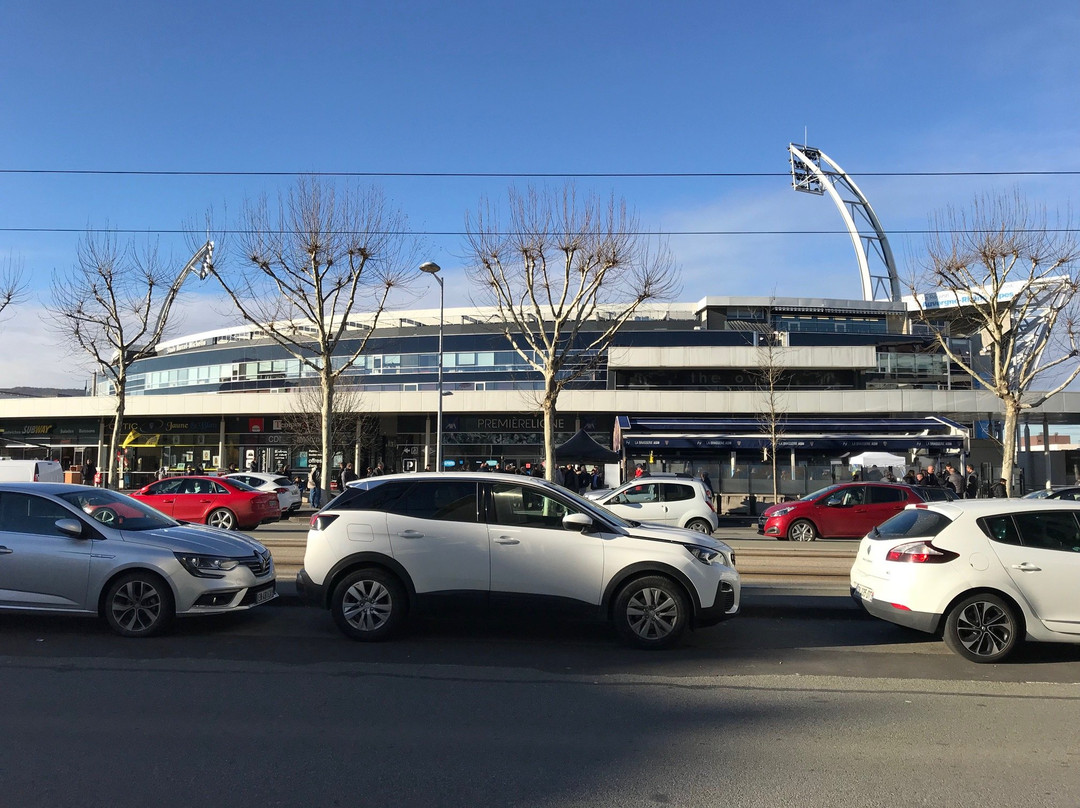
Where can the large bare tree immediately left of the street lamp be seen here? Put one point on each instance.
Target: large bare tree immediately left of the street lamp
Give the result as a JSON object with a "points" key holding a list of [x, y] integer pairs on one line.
{"points": [[318, 275]]}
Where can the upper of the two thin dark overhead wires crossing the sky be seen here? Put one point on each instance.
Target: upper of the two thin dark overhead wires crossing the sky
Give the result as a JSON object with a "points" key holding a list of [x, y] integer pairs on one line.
{"points": [[523, 176]]}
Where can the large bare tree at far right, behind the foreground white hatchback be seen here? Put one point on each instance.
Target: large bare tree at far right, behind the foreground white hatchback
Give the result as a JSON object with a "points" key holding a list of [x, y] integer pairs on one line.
{"points": [[998, 272]]}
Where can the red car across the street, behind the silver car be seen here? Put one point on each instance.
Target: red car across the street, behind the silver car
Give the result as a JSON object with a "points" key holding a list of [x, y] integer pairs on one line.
{"points": [[217, 502]]}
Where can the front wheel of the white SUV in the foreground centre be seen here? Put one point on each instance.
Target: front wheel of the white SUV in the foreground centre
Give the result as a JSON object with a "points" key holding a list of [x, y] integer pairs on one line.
{"points": [[652, 613]]}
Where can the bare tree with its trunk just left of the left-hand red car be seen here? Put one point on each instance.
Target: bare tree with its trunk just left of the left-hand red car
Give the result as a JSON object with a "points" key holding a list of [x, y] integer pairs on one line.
{"points": [[112, 306]]}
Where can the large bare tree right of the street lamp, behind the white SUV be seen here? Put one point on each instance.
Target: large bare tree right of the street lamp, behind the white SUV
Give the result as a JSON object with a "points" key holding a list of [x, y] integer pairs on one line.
{"points": [[565, 276]]}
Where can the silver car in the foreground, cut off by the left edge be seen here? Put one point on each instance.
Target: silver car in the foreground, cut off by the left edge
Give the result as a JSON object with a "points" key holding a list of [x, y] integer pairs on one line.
{"points": [[77, 549]]}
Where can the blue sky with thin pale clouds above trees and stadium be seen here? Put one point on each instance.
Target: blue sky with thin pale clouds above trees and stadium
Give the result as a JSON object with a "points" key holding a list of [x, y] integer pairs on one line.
{"points": [[526, 88]]}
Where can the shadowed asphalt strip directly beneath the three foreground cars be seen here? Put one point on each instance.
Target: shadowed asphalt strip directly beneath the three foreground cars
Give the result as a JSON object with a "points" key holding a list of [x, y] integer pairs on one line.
{"points": [[788, 645]]}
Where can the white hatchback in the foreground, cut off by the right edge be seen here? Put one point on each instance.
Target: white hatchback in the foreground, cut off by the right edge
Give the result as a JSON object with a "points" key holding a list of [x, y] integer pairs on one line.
{"points": [[984, 574]]}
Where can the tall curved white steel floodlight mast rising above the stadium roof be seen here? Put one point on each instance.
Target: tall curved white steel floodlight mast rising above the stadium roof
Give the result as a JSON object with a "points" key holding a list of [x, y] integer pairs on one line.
{"points": [[877, 268]]}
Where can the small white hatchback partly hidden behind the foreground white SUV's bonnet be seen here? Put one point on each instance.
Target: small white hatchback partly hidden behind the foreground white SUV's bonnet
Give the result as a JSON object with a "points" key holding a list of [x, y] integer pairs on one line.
{"points": [[663, 501]]}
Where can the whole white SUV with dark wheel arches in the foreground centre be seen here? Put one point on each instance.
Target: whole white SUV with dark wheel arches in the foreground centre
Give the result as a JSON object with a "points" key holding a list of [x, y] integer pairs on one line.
{"points": [[406, 542]]}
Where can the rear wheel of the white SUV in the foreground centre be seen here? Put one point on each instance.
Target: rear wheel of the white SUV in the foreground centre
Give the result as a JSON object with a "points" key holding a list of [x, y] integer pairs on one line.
{"points": [[370, 605]]}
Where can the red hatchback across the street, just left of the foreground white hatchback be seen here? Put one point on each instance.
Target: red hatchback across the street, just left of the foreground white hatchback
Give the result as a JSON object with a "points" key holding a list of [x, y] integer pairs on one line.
{"points": [[846, 511]]}
